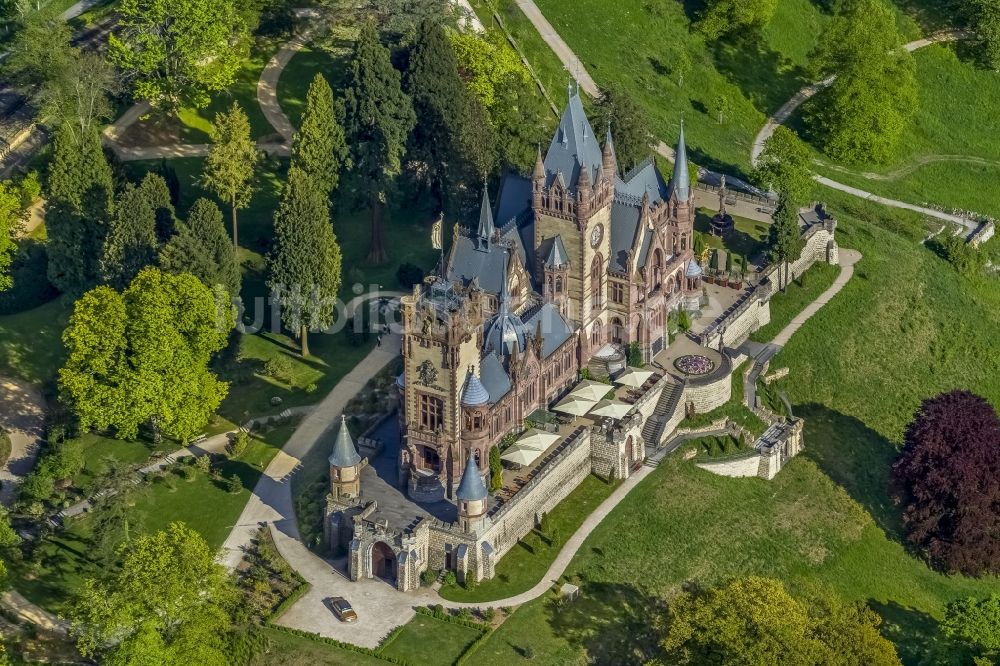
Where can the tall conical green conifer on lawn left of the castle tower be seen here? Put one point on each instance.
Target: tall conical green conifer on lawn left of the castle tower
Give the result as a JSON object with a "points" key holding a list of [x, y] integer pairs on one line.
{"points": [[305, 264]]}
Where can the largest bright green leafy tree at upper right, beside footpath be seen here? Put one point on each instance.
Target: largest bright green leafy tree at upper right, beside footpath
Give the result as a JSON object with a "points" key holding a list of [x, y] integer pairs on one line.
{"points": [[863, 114]]}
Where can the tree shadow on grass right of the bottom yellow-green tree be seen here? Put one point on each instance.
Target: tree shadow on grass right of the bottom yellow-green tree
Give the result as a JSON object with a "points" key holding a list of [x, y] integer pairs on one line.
{"points": [[917, 637]]}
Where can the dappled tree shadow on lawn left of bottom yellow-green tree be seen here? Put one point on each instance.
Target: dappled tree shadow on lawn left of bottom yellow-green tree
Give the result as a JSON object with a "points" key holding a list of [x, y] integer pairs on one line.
{"points": [[612, 622]]}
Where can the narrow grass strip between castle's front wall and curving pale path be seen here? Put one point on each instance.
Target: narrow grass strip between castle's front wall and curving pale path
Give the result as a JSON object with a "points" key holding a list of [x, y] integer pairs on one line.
{"points": [[527, 562]]}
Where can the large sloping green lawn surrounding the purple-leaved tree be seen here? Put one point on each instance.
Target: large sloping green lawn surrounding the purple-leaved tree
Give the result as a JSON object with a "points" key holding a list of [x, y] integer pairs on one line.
{"points": [[906, 327]]}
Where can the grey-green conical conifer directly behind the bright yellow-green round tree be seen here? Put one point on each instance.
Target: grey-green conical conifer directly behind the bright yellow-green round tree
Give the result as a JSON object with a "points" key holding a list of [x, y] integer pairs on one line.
{"points": [[202, 248]]}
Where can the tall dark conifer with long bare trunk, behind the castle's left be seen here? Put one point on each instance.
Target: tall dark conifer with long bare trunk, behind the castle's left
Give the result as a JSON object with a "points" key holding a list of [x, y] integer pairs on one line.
{"points": [[379, 117]]}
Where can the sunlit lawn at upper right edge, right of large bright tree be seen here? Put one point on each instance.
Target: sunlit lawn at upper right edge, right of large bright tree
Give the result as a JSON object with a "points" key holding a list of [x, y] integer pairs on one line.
{"points": [[945, 158]]}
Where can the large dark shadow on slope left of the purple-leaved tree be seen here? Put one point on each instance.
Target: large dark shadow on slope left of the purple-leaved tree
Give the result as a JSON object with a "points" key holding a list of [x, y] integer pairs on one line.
{"points": [[857, 458]]}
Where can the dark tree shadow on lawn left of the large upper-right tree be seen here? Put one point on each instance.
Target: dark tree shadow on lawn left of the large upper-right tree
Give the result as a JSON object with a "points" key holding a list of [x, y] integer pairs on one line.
{"points": [[766, 77]]}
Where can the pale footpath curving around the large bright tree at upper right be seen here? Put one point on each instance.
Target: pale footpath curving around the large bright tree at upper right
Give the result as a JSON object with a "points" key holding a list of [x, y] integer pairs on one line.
{"points": [[789, 107]]}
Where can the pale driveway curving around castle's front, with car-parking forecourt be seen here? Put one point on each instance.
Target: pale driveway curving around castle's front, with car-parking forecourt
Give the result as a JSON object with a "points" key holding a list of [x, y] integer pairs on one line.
{"points": [[381, 608]]}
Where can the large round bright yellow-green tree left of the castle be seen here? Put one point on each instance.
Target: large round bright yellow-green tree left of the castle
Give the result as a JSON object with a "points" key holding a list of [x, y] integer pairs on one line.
{"points": [[142, 356]]}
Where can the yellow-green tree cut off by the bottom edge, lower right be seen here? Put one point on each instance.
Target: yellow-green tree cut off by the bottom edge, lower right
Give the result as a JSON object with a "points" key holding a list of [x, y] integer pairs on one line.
{"points": [[755, 622]]}
